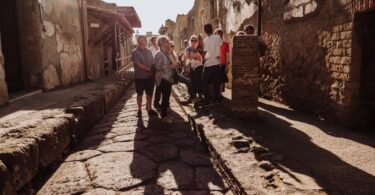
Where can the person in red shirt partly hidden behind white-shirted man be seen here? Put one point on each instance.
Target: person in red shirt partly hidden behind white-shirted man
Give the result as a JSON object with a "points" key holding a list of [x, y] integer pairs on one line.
{"points": [[224, 59]]}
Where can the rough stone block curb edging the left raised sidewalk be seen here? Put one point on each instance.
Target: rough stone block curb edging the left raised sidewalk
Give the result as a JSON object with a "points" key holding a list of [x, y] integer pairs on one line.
{"points": [[21, 158]]}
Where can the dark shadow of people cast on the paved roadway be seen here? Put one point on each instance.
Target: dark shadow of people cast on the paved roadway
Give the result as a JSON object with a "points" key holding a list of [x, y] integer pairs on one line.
{"points": [[181, 163]]}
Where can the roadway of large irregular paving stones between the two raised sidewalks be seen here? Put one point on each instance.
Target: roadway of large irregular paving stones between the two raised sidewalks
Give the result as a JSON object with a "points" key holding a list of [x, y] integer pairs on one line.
{"points": [[126, 155]]}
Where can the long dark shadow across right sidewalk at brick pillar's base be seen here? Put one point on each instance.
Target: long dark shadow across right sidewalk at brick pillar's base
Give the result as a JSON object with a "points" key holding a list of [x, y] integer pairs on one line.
{"points": [[299, 154]]}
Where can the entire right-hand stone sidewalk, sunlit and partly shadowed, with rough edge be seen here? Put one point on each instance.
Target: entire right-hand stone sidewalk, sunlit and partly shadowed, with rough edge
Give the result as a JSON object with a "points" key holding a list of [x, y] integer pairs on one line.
{"points": [[284, 151]]}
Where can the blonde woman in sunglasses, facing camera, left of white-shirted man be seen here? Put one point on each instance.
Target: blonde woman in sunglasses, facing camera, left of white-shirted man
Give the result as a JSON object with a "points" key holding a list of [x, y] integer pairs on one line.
{"points": [[195, 59]]}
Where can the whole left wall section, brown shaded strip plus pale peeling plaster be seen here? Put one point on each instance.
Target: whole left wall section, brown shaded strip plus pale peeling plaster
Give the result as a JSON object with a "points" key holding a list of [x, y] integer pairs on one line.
{"points": [[51, 43]]}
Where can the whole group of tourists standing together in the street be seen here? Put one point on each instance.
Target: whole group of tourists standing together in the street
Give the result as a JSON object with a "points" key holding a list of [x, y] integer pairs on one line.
{"points": [[202, 64]]}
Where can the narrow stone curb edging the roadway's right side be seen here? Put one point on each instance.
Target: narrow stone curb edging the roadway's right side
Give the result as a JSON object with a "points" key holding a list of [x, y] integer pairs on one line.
{"points": [[225, 171]]}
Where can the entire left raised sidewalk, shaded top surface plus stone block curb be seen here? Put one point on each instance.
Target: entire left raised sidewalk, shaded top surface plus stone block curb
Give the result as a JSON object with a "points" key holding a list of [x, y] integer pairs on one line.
{"points": [[35, 132]]}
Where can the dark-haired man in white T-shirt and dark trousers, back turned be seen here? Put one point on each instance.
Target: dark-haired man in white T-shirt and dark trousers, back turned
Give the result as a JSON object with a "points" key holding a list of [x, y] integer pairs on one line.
{"points": [[211, 73]]}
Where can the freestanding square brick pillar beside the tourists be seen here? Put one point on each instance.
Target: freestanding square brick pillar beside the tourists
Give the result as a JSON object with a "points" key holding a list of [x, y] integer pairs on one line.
{"points": [[245, 70]]}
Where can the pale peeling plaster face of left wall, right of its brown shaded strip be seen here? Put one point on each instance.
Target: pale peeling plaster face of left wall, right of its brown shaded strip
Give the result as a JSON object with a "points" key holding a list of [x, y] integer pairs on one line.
{"points": [[62, 43]]}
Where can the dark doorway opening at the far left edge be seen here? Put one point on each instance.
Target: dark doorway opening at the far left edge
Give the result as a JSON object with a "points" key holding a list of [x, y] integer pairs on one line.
{"points": [[10, 45]]}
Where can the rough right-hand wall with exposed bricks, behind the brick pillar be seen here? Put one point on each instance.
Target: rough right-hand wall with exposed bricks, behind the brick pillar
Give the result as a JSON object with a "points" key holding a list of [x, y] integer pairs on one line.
{"points": [[309, 62]]}
